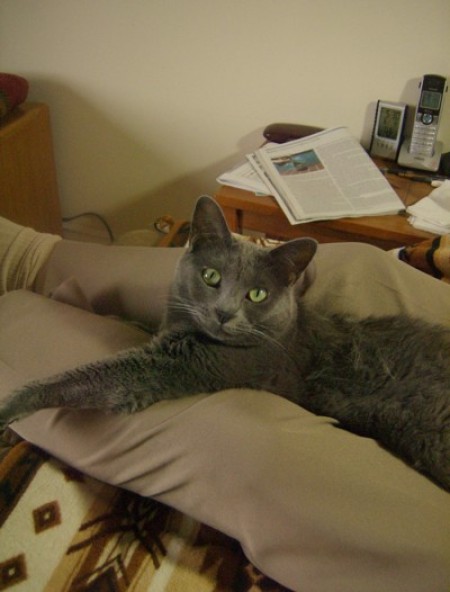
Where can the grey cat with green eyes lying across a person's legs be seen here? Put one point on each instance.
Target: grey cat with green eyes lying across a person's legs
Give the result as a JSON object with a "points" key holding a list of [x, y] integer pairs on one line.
{"points": [[235, 319]]}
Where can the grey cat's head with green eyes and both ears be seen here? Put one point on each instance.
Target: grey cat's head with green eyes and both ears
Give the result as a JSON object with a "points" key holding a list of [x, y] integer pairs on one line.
{"points": [[234, 290]]}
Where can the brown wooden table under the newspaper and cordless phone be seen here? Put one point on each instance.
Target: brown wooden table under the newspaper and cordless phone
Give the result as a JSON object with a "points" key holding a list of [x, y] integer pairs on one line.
{"points": [[245, 211]]}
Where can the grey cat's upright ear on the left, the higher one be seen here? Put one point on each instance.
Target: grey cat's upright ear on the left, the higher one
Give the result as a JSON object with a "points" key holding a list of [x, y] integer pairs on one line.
{"points": [[208, 224]]}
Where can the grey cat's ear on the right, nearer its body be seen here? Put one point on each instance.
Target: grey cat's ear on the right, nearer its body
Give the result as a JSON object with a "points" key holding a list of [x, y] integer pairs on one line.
{"points": [[291, 259]]}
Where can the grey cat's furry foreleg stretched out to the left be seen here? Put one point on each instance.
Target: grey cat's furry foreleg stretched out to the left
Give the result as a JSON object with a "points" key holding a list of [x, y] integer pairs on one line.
{"points": [[168, 367]]}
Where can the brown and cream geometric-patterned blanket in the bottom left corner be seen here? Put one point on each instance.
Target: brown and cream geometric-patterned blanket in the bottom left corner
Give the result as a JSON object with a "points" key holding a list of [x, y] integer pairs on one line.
{"points": [[61, 530]]}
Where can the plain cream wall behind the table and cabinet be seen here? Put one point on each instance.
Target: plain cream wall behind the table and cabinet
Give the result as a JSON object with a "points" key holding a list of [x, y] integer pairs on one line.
{"points": [[152, 99]]}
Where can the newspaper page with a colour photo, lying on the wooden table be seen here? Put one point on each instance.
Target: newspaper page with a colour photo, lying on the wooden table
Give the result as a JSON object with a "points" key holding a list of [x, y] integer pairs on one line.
{"points": [[324, 176]]}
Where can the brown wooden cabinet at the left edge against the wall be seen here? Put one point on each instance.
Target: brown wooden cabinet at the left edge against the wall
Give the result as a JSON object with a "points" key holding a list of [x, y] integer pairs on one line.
{"points": [[28, 186]]}
